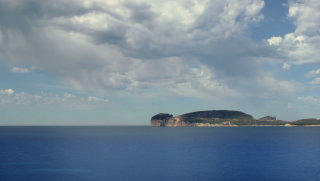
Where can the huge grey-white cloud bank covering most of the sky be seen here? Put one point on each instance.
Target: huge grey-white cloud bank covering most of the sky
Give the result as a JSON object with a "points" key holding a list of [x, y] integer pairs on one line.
{"points": [[194, 48]]}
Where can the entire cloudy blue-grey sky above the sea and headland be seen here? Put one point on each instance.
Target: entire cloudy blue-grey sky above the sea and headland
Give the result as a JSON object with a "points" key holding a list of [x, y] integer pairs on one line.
{"points": [[119, 62]]}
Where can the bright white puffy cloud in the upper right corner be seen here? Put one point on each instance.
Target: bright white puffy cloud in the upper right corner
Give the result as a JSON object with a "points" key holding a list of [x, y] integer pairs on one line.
{"points": [[302, 45]]}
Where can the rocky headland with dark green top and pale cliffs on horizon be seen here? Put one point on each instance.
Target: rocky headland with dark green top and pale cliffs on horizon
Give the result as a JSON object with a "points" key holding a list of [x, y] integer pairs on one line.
{"points": [[224, 118]]}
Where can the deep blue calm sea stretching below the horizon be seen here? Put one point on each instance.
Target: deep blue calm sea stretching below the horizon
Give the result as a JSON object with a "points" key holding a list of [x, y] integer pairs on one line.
{"points": [[159, 153]]}
